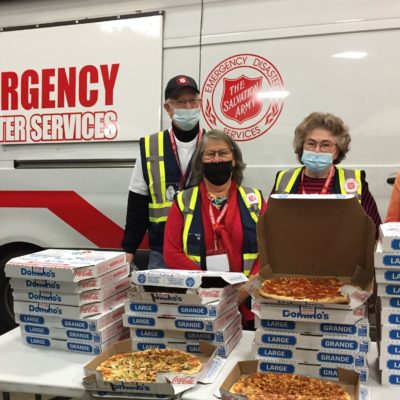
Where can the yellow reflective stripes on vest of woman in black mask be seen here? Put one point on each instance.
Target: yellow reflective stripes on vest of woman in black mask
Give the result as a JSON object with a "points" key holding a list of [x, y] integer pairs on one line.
{"points": [[187, 202]]}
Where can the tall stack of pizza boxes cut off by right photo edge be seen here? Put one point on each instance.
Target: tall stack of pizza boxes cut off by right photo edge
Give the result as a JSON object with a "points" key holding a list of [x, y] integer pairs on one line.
{"points": [[387, 272]]}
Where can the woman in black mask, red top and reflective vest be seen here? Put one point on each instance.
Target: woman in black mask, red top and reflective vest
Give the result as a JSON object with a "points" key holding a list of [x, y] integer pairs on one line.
{"points": [[212, 225]]}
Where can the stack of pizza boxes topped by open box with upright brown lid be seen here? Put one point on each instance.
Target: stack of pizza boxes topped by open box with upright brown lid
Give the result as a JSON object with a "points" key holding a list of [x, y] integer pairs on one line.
{"points": [[314, 236]]}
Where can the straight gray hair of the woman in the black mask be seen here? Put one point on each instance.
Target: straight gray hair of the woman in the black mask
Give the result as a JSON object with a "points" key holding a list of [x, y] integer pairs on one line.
{"points": [[197, 165]]}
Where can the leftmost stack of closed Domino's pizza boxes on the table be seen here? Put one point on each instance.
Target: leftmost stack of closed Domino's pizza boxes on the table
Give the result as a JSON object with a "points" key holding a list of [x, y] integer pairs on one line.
{"points": [[70, 299]]}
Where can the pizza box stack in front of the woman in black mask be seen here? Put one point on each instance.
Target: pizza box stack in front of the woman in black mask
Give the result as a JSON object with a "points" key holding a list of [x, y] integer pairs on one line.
{"points": [[177, 309]]}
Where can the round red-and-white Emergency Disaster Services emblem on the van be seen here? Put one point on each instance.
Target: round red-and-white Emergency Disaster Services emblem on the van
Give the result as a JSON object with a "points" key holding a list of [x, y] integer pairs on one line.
{"points": [[243, 95]]}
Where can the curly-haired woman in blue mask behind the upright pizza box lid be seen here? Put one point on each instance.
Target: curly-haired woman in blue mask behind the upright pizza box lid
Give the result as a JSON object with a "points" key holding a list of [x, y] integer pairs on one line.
{"points": [[321, 142]]}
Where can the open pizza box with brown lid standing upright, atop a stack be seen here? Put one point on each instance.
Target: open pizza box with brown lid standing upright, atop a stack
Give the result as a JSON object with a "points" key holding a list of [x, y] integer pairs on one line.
{"points": [[317, 236]]}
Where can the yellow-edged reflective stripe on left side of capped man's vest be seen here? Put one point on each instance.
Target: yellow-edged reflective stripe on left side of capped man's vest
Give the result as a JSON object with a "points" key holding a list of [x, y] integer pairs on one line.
{"points": [[154, 157]]}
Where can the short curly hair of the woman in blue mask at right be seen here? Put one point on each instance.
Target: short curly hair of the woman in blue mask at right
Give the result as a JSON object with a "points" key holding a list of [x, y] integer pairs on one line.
{"points": [[327, 121]]}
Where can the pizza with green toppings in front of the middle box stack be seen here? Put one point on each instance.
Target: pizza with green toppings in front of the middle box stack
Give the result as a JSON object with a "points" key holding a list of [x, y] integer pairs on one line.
{"points": [[143, 366]]}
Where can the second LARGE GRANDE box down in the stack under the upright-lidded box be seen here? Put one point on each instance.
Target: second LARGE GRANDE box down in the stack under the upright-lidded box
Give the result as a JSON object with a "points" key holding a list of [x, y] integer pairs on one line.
{"points": [[307, 341]]}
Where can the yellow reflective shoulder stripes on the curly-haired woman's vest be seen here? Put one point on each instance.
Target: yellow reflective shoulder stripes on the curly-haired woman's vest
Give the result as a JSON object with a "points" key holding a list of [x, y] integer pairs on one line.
{"points": [[286, 180]]}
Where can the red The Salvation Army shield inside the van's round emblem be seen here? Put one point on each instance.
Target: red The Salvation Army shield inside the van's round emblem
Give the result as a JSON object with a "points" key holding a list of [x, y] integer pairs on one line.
{"points": [[239, 99]]}
